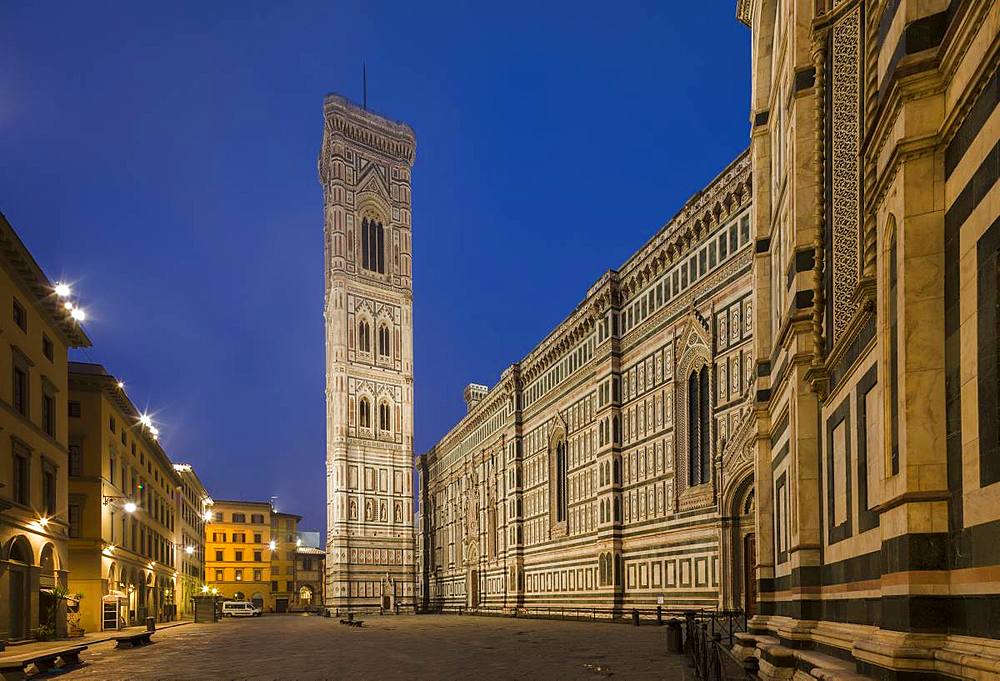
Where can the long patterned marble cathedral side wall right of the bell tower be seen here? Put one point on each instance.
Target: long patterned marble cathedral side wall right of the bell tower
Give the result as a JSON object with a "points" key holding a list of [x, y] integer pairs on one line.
{"points": [[608, 469]]}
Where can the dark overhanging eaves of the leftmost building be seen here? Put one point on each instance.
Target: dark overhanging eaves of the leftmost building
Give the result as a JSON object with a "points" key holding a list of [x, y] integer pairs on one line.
{"points": [[26, 269]]}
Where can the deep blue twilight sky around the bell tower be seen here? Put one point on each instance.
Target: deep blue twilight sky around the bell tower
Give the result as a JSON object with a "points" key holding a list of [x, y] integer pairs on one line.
{"points": [[162, 157]]}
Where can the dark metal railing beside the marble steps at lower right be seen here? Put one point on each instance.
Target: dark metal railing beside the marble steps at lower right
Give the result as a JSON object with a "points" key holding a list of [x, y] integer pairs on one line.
{"points": [[708, 637]]}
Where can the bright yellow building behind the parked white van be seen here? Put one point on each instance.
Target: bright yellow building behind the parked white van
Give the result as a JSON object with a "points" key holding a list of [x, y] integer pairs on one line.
{"points": [[250, 553]]}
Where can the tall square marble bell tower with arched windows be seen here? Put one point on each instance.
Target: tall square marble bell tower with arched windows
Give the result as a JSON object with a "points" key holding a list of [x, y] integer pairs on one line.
{"points": [[364, 168]]}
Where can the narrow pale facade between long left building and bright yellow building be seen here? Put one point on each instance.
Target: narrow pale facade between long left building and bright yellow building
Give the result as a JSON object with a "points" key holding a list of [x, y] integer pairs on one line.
{"points": [[193, 510]]}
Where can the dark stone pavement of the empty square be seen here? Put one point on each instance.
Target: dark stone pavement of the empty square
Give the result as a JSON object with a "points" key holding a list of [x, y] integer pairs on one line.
{"points": [[391, 647]]}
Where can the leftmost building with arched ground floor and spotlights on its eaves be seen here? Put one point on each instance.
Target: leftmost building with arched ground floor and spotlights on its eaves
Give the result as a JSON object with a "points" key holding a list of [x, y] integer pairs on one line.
{"points": [[37, 329]]}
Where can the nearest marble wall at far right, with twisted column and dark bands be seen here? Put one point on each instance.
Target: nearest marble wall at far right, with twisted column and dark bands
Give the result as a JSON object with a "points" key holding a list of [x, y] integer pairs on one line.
{"points": [[877, 231]]}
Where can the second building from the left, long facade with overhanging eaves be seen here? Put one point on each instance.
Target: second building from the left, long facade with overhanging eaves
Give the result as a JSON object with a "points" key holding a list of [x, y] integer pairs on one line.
{"points": [[122, 506]]}
